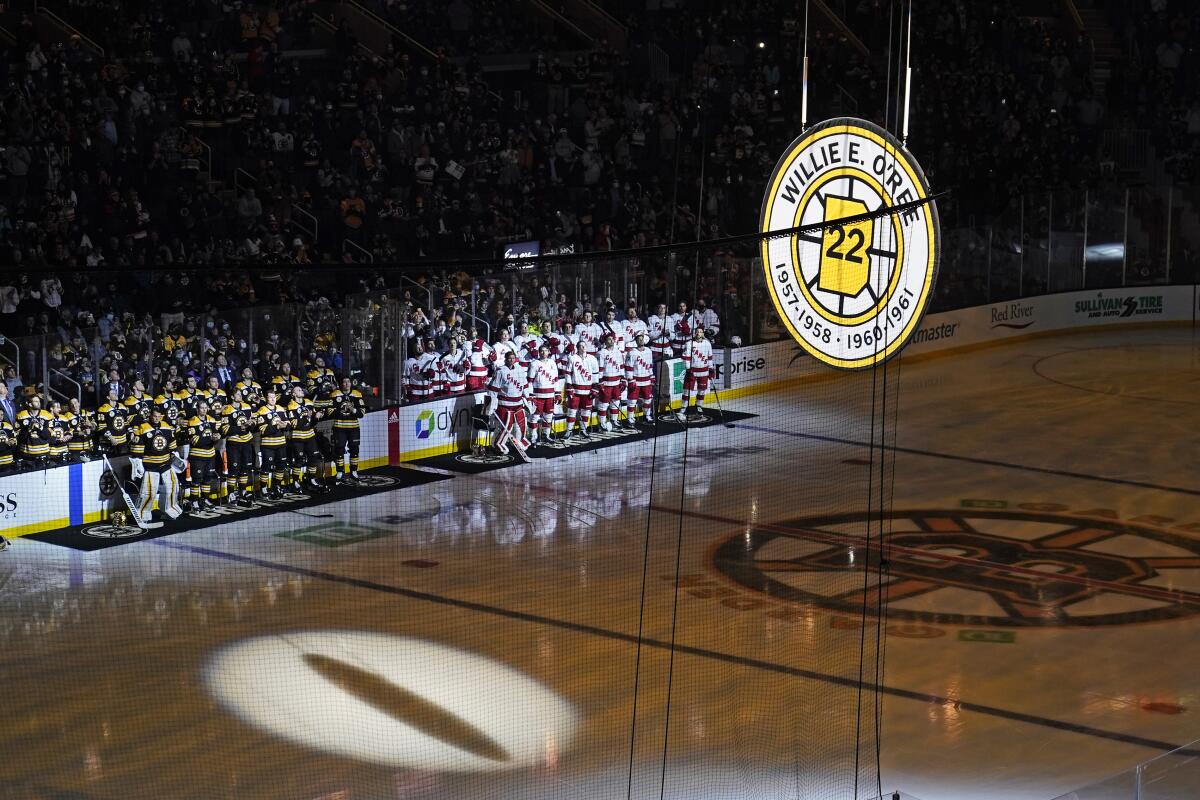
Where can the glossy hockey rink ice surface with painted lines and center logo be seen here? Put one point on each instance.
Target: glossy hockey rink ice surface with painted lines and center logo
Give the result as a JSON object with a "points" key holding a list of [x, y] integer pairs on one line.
{"points": [[499, 613]]}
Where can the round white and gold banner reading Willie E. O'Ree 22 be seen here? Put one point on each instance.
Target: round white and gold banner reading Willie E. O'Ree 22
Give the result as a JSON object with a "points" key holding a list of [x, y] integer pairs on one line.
{"points": [[851, 294]]}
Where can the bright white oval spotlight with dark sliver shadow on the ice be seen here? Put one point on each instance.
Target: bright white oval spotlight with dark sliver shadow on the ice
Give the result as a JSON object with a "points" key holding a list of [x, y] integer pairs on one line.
{"points": [[392, 701]]}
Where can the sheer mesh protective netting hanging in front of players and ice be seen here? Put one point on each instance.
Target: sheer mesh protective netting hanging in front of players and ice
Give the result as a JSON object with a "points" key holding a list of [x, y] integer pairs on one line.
{"points": [[345, 588]]}
